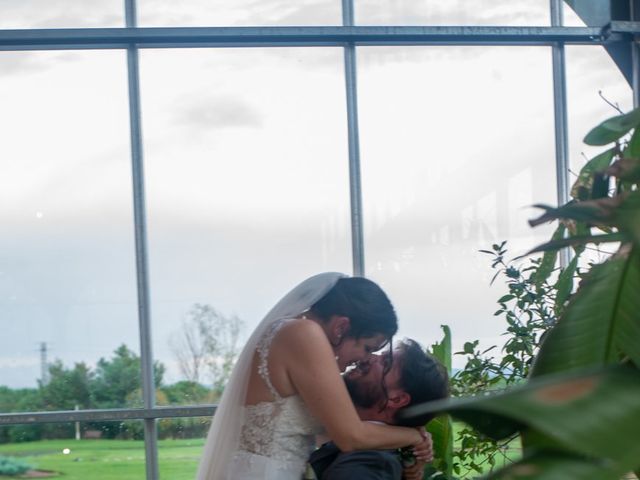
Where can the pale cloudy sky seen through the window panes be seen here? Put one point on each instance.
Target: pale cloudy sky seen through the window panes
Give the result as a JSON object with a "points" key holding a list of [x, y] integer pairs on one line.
{"points": [[247, 177]]}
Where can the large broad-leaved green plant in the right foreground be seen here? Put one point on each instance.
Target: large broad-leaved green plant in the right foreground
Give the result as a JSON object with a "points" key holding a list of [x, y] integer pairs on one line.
{"points": [[579, 413]]}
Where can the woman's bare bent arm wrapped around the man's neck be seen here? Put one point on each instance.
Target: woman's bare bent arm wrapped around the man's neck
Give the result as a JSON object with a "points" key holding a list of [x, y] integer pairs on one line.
{"points": [[311, 366]]}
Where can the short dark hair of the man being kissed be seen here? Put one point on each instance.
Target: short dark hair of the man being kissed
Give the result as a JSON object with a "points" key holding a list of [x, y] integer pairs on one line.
{"points": [[423, 377]]}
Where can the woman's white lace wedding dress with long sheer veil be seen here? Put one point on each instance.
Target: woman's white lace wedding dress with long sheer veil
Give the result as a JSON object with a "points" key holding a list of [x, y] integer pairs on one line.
{"points": [[270, 440]]}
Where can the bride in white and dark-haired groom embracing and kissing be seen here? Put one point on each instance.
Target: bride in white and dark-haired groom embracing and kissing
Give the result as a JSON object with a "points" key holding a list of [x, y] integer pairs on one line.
{"points": [[288, 387]]}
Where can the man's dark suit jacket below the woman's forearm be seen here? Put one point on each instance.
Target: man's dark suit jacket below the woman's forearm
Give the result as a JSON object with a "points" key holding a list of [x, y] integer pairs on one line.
{"points": [[329, 463]]}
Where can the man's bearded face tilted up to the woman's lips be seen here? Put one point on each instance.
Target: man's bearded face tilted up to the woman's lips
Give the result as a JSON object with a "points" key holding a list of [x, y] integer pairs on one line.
{"points": [[365, 382]]}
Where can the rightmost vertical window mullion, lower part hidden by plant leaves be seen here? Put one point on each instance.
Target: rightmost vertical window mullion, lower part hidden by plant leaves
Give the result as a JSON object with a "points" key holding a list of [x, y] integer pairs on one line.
{"points": [[560, 115]]}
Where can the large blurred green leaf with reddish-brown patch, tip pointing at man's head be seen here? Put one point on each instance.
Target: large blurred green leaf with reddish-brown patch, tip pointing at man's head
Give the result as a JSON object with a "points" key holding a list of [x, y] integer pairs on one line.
{"points": [[593, 414]]}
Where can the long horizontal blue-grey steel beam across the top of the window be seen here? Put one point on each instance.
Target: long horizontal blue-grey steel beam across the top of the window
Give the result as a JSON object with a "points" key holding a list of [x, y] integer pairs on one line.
{"points": [[187, 37]]}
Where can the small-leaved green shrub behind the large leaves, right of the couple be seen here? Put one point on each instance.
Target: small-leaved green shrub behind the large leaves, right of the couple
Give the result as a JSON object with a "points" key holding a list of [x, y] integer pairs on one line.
{"points": [[528, 308]]}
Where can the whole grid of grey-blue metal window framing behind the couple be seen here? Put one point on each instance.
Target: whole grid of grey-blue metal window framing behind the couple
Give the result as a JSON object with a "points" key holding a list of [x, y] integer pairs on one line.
{"points": [[348, 36]]}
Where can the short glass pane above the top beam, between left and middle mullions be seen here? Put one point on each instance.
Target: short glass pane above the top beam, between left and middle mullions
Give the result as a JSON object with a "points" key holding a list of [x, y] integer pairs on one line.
{"points": [[238, 12]]}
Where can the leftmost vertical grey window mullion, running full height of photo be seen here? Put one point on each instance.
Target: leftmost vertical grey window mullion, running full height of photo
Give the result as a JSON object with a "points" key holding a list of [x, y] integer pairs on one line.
{"points": [[142, 267]]}
